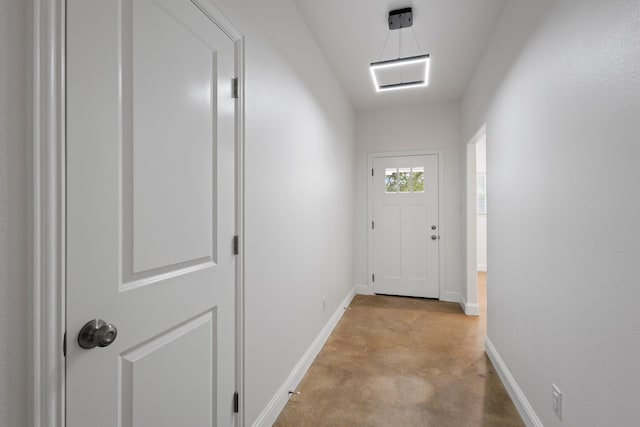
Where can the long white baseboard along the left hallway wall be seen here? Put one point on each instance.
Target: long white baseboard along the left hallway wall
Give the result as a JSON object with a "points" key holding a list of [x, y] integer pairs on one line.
{"points": [[270, 413]]}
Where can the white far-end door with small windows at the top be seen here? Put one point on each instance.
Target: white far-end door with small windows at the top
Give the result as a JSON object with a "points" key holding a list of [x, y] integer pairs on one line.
{"points": [[405, 227]]}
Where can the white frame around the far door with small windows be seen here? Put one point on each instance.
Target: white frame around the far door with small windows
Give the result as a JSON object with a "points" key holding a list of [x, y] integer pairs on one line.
{"points": [[441, 243]]}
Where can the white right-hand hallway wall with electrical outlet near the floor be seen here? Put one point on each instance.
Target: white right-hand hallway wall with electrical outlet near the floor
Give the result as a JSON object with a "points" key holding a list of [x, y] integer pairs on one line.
{"points": [[562, 151]]}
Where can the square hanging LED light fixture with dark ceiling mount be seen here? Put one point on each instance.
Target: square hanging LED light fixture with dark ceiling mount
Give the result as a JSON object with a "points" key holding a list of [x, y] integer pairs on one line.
{"points": [[390, 74]]}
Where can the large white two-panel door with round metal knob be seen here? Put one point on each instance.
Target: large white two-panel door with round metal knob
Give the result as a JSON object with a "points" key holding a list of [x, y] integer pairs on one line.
{"points": [[150, 214]]}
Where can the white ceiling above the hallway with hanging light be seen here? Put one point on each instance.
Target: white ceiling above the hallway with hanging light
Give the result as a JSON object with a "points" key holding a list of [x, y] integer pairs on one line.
{"points": [[352, 33]]}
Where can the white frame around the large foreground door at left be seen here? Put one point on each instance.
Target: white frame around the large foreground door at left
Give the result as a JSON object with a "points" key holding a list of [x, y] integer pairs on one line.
{"points": [[47, 203]]}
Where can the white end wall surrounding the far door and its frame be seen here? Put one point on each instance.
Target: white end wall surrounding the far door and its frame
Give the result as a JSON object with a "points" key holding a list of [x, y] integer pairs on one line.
{"points": [[412, 128]]}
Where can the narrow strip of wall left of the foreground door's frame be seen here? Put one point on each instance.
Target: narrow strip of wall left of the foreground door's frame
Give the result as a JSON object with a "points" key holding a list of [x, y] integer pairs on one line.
{"points": [[14, 211]]}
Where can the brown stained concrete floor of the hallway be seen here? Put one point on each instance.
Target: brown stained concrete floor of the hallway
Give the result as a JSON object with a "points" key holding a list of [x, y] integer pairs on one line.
{"points": [[396, 361]]}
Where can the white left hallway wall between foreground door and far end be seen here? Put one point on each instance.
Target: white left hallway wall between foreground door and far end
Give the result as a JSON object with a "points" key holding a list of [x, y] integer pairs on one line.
{"points": [[300, 143]]}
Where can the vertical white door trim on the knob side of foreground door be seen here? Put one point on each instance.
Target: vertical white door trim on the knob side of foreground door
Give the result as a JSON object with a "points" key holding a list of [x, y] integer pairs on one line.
{"points": [[47, 292]]}
